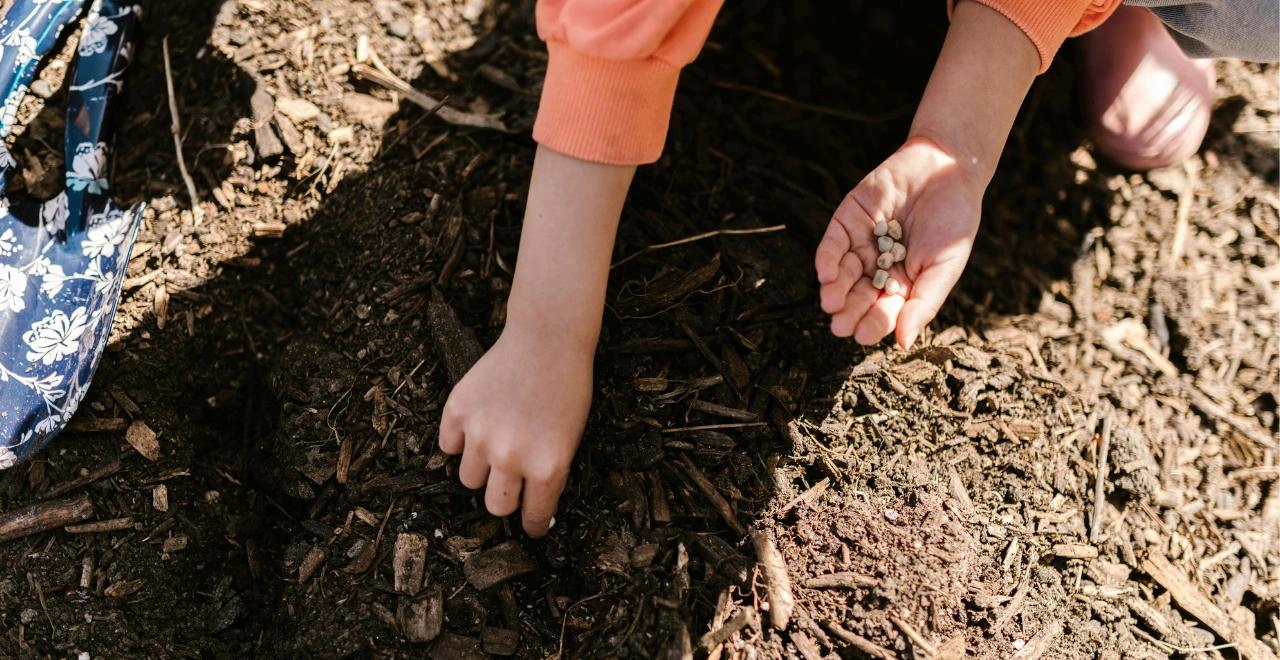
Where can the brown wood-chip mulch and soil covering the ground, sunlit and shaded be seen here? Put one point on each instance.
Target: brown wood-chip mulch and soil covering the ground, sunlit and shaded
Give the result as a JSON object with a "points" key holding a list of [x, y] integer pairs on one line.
{"points": [[294, 349]]}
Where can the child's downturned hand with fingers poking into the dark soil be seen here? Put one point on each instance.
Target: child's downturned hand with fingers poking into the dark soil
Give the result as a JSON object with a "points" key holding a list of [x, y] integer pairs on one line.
{"points": [[516, 419]]}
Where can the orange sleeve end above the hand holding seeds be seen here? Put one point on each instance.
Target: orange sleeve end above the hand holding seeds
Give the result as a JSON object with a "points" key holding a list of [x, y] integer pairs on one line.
{"points": [[1049, 22]]}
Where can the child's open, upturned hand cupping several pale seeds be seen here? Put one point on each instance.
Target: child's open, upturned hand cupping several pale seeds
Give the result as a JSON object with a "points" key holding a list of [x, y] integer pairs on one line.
{"points": [[939, 205]]}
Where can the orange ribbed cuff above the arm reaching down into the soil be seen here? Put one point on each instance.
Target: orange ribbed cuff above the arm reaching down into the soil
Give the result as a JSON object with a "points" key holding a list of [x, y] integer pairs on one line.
{"points": [[601, 111]]}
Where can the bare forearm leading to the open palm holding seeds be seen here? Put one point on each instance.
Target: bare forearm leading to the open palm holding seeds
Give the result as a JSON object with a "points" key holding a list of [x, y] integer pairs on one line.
{"points": [[986, 67]]}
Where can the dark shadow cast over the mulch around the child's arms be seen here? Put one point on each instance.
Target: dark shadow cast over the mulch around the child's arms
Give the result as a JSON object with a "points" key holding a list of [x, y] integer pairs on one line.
{"points": [[323, 337]]}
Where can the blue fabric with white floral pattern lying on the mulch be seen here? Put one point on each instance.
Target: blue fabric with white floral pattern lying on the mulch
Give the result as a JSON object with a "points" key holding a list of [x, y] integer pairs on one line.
{"points": [[62, 260]]}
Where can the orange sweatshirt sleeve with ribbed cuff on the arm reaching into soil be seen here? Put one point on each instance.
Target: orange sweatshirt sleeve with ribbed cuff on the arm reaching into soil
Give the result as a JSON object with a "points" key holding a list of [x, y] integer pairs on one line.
{"points": [[612, 71]]}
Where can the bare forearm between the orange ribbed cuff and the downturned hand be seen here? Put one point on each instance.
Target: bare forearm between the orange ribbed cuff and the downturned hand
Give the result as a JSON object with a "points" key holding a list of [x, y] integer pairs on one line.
{"points": [[566, 246]]}
